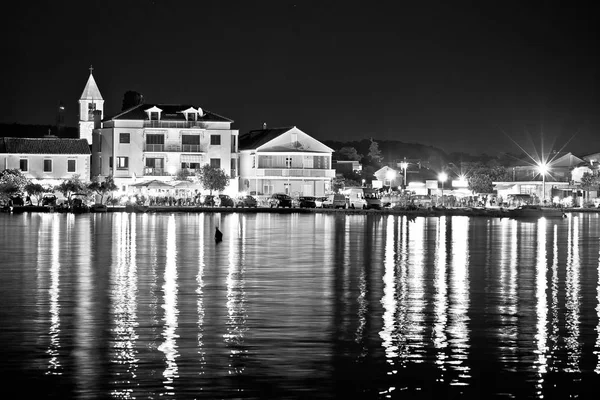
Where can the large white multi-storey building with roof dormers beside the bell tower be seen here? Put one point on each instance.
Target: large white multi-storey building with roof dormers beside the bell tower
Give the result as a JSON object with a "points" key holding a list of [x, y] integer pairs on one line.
{"points": [[155, 141]]}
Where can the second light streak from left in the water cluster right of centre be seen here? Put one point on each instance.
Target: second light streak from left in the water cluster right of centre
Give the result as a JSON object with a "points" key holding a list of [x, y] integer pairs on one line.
{"points": [[416, 290]]}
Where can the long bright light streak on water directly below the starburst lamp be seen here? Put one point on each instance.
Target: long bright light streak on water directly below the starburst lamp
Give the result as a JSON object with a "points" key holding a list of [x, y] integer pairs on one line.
{"points": [[541, 285]]}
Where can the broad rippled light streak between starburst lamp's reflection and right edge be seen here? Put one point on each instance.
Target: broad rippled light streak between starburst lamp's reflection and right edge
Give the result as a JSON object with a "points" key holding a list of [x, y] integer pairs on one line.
{"points": [[572, 299]]}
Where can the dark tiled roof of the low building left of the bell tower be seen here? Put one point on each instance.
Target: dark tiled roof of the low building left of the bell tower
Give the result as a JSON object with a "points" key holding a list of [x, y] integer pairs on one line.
{"points": [[11, 145]]}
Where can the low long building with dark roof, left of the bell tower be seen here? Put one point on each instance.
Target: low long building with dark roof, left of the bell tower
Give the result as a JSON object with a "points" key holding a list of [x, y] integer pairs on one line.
{"points": [[48, 160]]}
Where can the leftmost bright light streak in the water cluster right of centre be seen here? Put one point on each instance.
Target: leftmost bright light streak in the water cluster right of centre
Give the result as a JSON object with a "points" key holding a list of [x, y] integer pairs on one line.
{"points": [[389, 329]]}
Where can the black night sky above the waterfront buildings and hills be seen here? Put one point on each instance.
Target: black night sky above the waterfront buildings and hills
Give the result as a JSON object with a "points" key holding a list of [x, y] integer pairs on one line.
{"points": [[462, 76]]}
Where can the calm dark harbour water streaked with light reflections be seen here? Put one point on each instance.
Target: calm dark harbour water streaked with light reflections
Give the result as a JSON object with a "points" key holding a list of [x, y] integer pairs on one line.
{"points": [[295, 306]]}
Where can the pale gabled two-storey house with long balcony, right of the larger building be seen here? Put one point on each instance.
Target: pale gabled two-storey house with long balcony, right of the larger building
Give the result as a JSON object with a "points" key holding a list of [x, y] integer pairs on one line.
{"points": [[284, 160]]}
